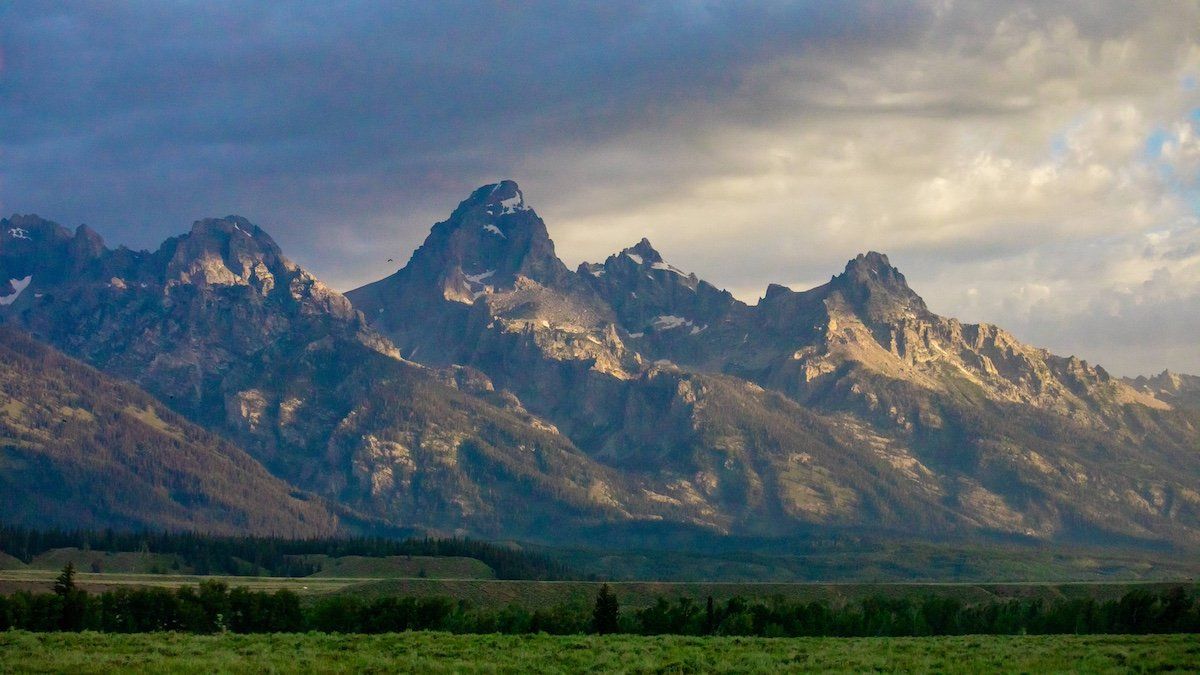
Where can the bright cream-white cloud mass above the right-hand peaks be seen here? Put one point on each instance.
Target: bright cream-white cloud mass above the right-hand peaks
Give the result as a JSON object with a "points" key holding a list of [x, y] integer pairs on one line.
{"points": [[1006, 170]]}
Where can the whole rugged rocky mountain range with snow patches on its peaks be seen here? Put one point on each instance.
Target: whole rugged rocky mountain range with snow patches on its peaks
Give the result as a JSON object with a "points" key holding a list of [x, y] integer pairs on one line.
{"points": [[487, 389]]}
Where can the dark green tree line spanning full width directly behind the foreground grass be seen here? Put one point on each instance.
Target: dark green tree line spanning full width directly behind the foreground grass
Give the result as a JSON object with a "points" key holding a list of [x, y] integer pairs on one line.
{"points": [[213, 607]]}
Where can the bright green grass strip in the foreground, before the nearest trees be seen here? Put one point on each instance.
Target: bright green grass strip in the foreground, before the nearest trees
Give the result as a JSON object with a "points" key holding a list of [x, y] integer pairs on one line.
{"points": [[441, 653]]}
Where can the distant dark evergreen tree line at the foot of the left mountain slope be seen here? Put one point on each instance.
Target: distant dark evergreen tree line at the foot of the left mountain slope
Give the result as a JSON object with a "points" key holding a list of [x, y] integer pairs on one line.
{"points": [[274, 557]]}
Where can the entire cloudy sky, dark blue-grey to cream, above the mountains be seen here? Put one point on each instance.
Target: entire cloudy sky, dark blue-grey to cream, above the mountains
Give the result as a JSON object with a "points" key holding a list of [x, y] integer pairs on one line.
{"points": [[1036, 165]]}
